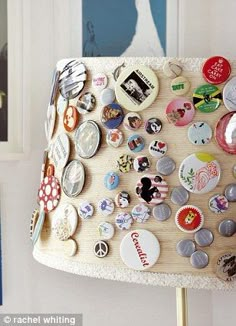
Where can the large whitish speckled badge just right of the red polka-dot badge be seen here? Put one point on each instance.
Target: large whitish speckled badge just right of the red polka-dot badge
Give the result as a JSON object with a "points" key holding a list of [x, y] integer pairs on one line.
{"points": [[64, 222]]}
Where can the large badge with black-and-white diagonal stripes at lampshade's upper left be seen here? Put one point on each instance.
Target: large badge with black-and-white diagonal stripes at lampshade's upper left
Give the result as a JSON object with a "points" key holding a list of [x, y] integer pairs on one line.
{"points": [[72, 79]]}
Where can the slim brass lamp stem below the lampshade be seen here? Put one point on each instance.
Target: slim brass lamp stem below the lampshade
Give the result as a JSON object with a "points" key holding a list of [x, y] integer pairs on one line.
{"points": [[182, 307]]}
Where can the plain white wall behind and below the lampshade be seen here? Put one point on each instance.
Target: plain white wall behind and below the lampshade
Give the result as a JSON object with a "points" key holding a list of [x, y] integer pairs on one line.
{"points": [[31, 287]]}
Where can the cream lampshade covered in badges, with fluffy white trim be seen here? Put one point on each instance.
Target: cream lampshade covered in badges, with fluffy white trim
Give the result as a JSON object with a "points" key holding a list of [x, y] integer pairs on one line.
{"points": [[135, 154]]}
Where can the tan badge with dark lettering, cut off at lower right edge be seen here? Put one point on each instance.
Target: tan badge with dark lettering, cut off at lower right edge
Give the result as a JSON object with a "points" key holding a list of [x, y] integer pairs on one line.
{"points": [[226, 267]]}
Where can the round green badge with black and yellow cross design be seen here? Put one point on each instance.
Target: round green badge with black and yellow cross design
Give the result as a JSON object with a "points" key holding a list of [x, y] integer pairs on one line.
{"points": [[207, 98]]}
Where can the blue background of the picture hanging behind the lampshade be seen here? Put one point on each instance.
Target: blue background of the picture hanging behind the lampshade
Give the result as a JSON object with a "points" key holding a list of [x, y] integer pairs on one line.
{"points": [[109, 25]]}
